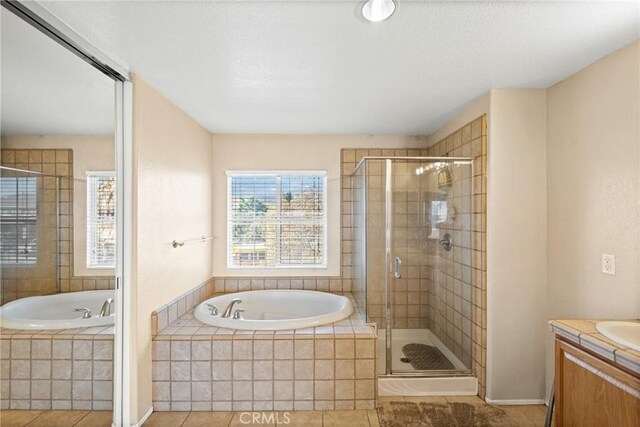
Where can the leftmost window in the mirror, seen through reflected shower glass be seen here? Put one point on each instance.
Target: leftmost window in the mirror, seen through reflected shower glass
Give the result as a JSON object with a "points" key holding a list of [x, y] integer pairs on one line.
{"points": [[18, 221]]}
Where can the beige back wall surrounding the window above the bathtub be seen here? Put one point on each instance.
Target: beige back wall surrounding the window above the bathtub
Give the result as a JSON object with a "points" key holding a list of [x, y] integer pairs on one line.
{"points": [[288, 152]]}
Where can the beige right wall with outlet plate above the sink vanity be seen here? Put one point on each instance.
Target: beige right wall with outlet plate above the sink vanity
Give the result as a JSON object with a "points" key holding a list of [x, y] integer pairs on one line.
{"points": [[593, 190]]}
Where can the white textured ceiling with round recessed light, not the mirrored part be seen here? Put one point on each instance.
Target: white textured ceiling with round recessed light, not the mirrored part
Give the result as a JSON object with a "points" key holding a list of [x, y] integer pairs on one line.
{"points": [[318, 67]]}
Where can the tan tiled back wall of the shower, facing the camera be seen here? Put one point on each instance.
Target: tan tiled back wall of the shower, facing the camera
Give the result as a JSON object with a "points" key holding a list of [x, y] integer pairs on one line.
{"points": [[409, 296]]}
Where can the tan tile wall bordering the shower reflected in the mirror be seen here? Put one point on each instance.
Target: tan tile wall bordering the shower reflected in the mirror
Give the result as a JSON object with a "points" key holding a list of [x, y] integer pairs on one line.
{"points": [[60, 163]]}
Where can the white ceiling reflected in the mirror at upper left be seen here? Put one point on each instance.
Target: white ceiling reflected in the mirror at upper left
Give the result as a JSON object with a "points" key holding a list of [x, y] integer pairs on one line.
{"points": [[46, 90]]}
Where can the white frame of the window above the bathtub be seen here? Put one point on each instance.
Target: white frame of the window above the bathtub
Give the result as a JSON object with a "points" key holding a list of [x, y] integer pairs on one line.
{"points": [[278, 174]]}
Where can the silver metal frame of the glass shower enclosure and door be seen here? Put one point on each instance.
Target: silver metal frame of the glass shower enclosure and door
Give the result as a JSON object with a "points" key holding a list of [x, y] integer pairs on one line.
{"points": [[388, 161]]}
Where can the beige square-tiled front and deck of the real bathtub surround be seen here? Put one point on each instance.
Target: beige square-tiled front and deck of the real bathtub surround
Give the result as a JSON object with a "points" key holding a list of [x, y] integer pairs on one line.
{"points": [[197, 367]]}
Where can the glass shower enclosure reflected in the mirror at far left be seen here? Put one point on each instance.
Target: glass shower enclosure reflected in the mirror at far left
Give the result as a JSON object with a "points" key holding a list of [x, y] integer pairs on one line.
{"points": [[29, 234]]}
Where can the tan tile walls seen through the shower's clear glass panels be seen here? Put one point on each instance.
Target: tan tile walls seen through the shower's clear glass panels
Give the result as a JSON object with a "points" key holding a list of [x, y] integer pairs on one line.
{"points": [[417, 246]]}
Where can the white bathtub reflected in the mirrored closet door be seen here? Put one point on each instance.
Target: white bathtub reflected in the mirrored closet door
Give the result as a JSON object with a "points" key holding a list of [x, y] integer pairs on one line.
{"points": [[56, 311]]}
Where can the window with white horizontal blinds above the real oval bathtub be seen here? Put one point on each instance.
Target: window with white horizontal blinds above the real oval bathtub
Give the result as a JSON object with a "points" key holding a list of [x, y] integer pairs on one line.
{"points": [[277, 220]]}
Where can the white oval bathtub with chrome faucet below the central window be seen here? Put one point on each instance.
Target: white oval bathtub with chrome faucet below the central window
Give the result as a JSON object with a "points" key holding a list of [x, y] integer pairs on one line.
{"points": [[276, 309]]}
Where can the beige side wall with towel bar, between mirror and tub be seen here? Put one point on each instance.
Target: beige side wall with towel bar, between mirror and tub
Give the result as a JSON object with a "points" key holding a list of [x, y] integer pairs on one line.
{"points": [[172, 200]]}
